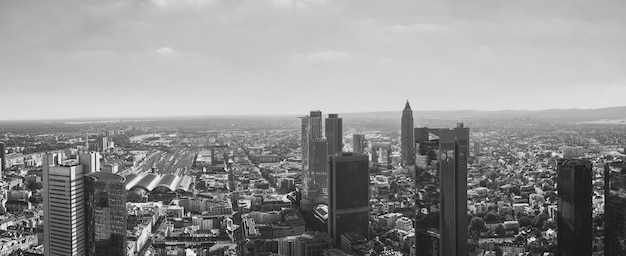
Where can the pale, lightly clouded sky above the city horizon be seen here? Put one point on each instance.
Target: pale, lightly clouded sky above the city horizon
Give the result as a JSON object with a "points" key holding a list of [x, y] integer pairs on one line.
{"points": [[132, 58]]}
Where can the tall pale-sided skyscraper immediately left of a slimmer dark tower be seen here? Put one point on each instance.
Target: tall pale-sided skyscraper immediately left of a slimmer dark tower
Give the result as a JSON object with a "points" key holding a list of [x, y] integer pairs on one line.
{"points": [[311, 130]]}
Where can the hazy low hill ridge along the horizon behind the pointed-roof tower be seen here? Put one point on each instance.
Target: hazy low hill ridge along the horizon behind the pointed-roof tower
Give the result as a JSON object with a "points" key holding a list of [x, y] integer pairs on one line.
{"points": [[601, 115]]}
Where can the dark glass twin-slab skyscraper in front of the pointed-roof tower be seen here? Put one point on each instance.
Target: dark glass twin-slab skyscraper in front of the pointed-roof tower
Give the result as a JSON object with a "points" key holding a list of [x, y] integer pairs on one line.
{"points": [[441, 226]]}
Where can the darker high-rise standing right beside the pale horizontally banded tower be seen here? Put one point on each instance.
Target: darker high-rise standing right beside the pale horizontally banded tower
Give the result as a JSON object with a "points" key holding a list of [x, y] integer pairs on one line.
{"points": [[105, 214]]}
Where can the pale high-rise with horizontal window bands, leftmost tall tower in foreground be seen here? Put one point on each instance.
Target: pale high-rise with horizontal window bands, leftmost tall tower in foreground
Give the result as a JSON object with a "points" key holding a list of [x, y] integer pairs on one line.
{"points": [[64, 208]]}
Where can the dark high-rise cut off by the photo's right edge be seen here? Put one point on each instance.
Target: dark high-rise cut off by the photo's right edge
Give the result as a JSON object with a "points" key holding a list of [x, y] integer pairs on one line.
{"points": [[614, 210]]}
